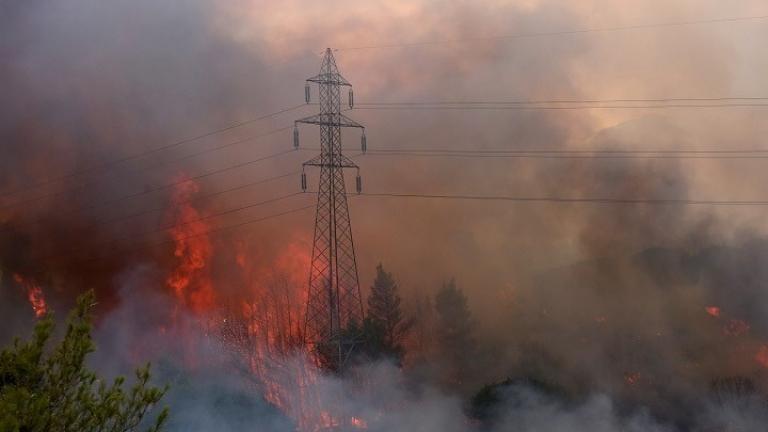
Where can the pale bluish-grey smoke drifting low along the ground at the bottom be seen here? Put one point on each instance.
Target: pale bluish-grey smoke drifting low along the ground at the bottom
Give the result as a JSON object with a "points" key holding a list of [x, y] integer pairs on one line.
{"points": [[218, 392]]}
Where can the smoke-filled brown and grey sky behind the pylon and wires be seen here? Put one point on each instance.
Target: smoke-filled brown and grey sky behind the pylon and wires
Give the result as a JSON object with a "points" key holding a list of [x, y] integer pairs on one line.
{"points": [[86, 81]]}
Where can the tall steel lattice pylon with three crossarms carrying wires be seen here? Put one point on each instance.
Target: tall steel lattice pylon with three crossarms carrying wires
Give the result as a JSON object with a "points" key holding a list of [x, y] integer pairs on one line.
{"points": [[334, 303]]}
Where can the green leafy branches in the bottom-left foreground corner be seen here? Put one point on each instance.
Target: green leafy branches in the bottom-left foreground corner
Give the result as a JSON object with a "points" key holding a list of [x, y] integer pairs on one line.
{"points": [[50, 390]]}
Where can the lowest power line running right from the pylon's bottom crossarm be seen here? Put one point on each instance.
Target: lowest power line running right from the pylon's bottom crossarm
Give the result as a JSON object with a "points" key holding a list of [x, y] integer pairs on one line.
{"points": [[568, 200]]}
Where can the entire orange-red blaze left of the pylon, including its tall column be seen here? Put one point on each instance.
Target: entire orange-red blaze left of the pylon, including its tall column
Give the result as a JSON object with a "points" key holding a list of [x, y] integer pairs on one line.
{"points": [[261, 323]]}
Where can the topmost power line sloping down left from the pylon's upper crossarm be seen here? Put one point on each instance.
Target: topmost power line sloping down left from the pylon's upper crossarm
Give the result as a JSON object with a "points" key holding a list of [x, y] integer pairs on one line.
{"points": [[111, 163]]}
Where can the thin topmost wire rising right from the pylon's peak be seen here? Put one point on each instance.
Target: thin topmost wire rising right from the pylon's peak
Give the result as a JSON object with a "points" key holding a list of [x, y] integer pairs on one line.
{"points": [[557, 33]]}
